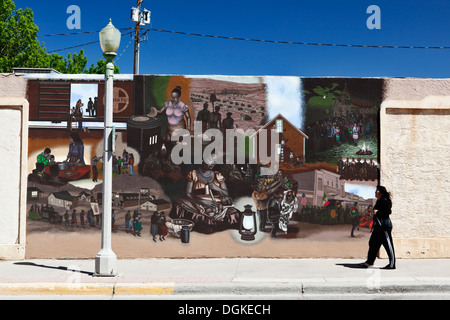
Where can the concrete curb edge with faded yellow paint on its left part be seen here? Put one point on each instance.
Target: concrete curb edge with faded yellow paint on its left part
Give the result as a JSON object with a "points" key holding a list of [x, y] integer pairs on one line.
{"points": [[261, 289]]}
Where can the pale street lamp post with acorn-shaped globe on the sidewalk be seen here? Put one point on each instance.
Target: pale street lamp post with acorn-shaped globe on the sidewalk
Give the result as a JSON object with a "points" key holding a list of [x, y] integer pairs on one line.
{"points": [[105, 261]]}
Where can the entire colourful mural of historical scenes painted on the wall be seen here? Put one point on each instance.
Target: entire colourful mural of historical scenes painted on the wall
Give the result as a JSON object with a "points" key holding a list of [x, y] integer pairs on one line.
{"points": [[256, 157]]}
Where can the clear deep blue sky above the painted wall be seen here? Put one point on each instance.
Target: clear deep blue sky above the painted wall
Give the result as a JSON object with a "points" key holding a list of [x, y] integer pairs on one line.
{"points": [[406, 23]]}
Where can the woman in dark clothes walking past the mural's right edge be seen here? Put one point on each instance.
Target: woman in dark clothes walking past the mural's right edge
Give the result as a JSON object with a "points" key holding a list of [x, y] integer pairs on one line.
{"points": [[382, 228]]}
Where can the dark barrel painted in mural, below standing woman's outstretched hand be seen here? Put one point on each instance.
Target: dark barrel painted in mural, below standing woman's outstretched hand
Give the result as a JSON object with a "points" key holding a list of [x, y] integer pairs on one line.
{"points": [[144, 133]]}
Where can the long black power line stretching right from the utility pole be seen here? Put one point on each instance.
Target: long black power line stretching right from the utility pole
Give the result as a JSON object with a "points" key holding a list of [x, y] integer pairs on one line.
{"points": [[298, 43]]}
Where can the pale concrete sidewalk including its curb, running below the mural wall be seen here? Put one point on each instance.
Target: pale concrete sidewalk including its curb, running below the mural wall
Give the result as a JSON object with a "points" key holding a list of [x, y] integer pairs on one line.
{"points": [[227, 278]]}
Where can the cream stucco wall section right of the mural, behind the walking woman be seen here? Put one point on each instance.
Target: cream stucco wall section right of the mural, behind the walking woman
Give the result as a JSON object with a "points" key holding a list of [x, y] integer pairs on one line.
{"points": [[415, 152]]}
